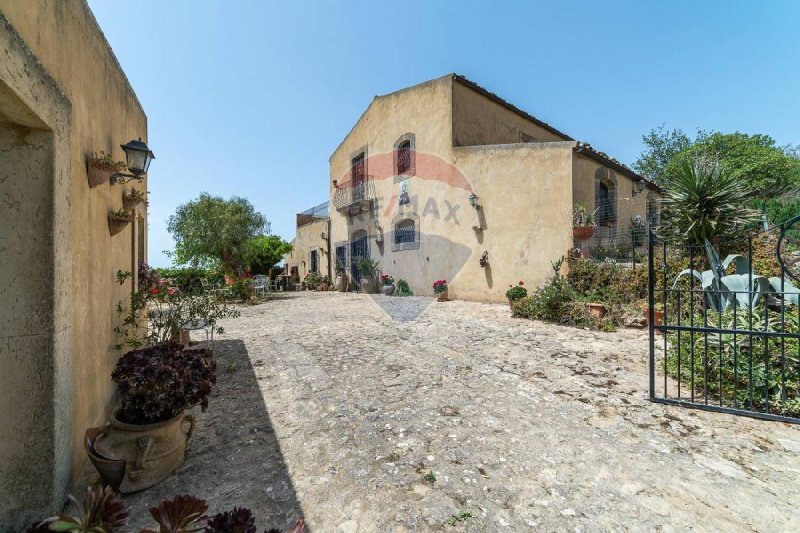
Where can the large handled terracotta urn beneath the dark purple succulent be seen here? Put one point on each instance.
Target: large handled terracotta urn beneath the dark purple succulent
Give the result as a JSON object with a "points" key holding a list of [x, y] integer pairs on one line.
{"points": [[132, 457]]}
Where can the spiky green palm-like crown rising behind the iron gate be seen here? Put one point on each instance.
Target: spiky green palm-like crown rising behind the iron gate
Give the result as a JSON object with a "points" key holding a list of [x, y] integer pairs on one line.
{"points": [[704, 200]]}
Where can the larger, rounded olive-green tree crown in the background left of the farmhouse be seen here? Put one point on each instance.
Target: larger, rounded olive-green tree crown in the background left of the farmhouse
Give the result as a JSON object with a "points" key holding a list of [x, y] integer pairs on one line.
{"points": [[212, 228]]}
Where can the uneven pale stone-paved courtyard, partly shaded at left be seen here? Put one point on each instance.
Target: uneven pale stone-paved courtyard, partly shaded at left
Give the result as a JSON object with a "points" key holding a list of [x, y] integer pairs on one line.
{"points": [[329, 408]]}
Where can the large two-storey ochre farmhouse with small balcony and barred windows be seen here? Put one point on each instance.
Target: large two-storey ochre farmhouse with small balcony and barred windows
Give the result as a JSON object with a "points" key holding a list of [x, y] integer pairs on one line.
{"points": [[445, 180]]}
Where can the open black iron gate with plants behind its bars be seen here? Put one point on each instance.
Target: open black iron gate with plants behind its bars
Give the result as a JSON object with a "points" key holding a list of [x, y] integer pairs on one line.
{"points": [[725, 329]]}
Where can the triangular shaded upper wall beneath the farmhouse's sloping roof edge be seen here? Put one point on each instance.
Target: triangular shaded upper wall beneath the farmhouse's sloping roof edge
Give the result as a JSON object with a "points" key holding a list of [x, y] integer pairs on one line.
{"points": [[479, 120]]}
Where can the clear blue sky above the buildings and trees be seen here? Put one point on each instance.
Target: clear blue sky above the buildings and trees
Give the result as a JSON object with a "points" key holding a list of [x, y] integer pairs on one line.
{"points": [[250, 97]]}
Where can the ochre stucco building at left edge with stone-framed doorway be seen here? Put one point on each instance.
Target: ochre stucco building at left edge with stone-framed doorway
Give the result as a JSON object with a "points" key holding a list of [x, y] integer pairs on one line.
{"points": [[63, 96]]}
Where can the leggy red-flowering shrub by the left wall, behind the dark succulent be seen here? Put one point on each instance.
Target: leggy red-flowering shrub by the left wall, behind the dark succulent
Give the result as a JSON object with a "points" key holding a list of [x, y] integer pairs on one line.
{"points": [[157, 312]]}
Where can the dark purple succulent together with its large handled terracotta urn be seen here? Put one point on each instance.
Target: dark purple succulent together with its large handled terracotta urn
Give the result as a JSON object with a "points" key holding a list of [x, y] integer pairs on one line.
{"points": [[145, 438]]}
